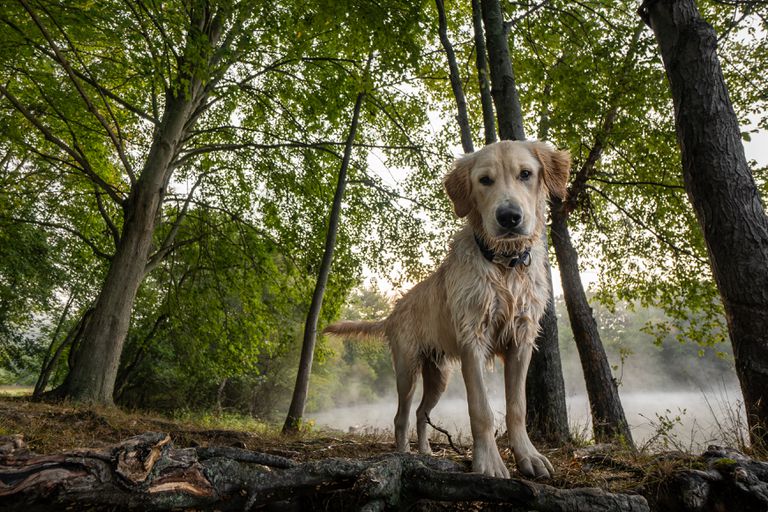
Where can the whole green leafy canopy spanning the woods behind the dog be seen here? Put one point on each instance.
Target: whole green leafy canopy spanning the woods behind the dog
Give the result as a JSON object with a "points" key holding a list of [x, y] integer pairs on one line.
{"points": [[219, 128]]}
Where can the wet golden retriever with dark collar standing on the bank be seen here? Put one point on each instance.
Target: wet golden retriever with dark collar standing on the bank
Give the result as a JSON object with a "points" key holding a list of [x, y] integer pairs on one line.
{"points": [[485, 300]]}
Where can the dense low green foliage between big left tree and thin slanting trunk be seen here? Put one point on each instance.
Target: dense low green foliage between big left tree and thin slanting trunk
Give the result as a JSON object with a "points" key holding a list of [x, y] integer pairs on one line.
{"points": [[230, 307]]}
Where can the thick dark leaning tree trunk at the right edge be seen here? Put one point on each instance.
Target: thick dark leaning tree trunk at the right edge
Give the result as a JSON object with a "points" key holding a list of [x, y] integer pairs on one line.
{"points": [[722, 190]]}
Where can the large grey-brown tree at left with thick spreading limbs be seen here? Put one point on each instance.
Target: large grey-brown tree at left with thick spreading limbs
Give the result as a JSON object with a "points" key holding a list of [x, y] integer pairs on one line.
{"points": [[185, 99]]}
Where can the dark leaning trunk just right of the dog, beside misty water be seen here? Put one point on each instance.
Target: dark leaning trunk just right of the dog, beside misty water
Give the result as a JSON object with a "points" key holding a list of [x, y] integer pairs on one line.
{"points": [[608, 420]]}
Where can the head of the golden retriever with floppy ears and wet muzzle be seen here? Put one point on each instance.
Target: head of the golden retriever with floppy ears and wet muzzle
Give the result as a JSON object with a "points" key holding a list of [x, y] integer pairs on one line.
{"points": [[504, 186]]}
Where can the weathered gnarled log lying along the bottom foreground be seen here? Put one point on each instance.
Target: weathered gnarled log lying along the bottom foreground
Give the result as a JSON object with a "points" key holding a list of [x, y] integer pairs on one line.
{"points": [[147, 473]]}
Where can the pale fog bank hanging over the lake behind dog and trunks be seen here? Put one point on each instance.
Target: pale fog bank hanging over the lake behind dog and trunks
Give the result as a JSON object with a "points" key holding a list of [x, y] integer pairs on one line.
{"points": [[675, 396]]}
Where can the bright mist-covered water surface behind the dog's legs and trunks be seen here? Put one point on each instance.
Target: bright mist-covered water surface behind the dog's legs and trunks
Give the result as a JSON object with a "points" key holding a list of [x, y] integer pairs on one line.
{"points": [[661, 416]]}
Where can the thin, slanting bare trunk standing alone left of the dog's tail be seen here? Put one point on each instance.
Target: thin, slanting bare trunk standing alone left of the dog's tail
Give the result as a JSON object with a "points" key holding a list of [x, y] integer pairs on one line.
{"points": [[300, 390]]}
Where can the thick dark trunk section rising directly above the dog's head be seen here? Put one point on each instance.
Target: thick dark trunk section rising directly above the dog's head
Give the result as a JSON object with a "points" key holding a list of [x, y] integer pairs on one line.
{"points": [[503, 87]]}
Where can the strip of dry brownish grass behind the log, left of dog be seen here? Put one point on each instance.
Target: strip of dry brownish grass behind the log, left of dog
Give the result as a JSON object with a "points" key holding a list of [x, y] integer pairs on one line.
{"points": [[50, 428]]}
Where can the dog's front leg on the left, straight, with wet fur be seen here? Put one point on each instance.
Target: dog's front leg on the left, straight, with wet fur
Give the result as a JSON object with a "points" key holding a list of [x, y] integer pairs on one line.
{"points": [[486, 458]]}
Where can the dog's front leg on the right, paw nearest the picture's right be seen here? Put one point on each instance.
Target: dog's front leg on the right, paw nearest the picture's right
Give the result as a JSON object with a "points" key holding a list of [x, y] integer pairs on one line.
{"points": [[529, 461]]}
